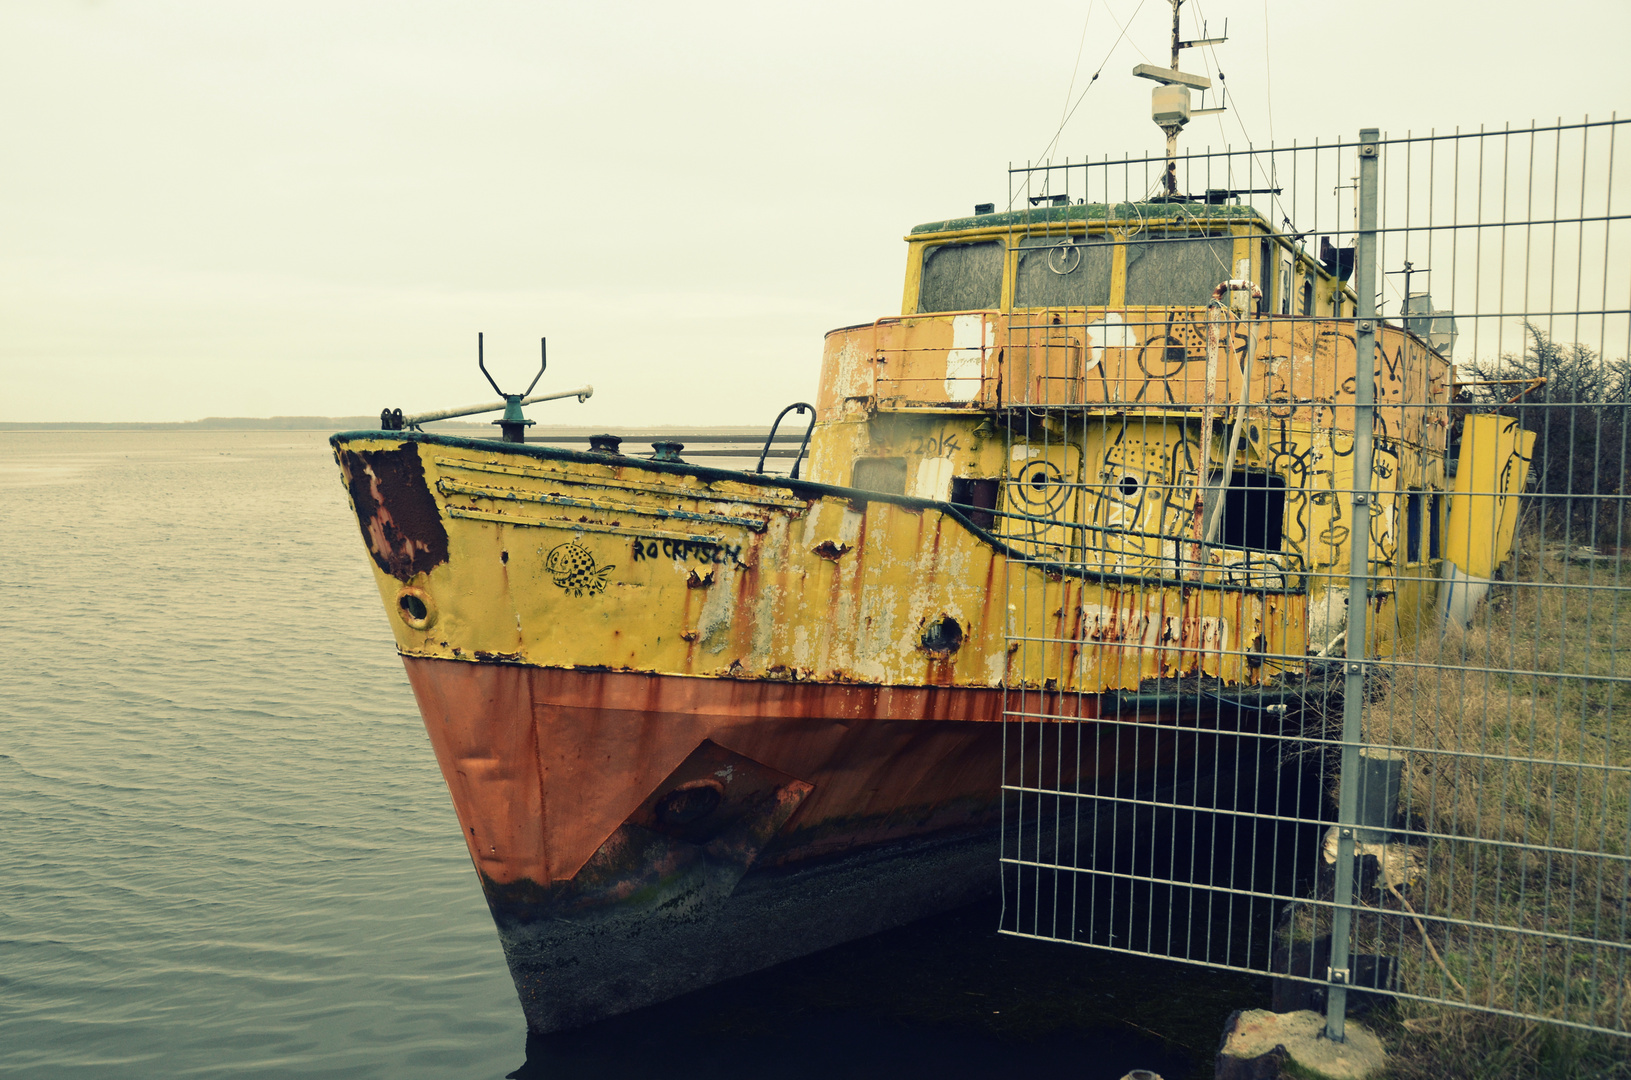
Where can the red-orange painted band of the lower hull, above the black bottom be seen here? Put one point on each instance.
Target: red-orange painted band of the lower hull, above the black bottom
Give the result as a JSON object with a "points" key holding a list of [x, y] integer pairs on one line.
{"points": [[546, 764]]}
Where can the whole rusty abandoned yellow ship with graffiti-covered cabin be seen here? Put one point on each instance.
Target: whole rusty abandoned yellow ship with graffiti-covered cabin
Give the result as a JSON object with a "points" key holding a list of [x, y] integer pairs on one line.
{"points": [[697, 722]]}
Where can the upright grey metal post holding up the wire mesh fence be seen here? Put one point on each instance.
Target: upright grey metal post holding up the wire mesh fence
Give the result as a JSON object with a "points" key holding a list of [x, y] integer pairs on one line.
{"points": [[1358, 585]]}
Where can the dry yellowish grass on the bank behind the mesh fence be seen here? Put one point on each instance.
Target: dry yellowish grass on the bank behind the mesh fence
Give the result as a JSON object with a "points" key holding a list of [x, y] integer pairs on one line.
{"points": [[1514, 732]]}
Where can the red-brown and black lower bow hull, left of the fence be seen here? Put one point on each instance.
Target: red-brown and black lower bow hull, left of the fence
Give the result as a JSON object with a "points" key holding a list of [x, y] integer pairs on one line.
{"points": [[643, 836]]}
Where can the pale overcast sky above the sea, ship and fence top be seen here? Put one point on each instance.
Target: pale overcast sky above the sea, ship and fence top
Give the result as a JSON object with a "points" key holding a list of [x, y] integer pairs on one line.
{"points": [[250, 210]]}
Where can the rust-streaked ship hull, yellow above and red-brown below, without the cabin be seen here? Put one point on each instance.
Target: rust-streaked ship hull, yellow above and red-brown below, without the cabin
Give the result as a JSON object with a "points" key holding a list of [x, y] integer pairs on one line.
{"points": [[679, 706]]}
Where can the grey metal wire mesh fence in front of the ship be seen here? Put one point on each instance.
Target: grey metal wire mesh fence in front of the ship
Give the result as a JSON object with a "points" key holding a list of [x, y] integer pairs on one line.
{"points": [[1317, 655]]}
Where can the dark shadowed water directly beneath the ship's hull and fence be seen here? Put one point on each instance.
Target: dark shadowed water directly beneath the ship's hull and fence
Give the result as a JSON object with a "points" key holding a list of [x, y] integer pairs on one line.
{"points": [[947, 998]]}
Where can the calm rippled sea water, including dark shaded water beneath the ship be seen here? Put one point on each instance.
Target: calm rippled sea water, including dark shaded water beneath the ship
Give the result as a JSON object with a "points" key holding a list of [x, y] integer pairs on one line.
{"points": [[226, 848]]}
